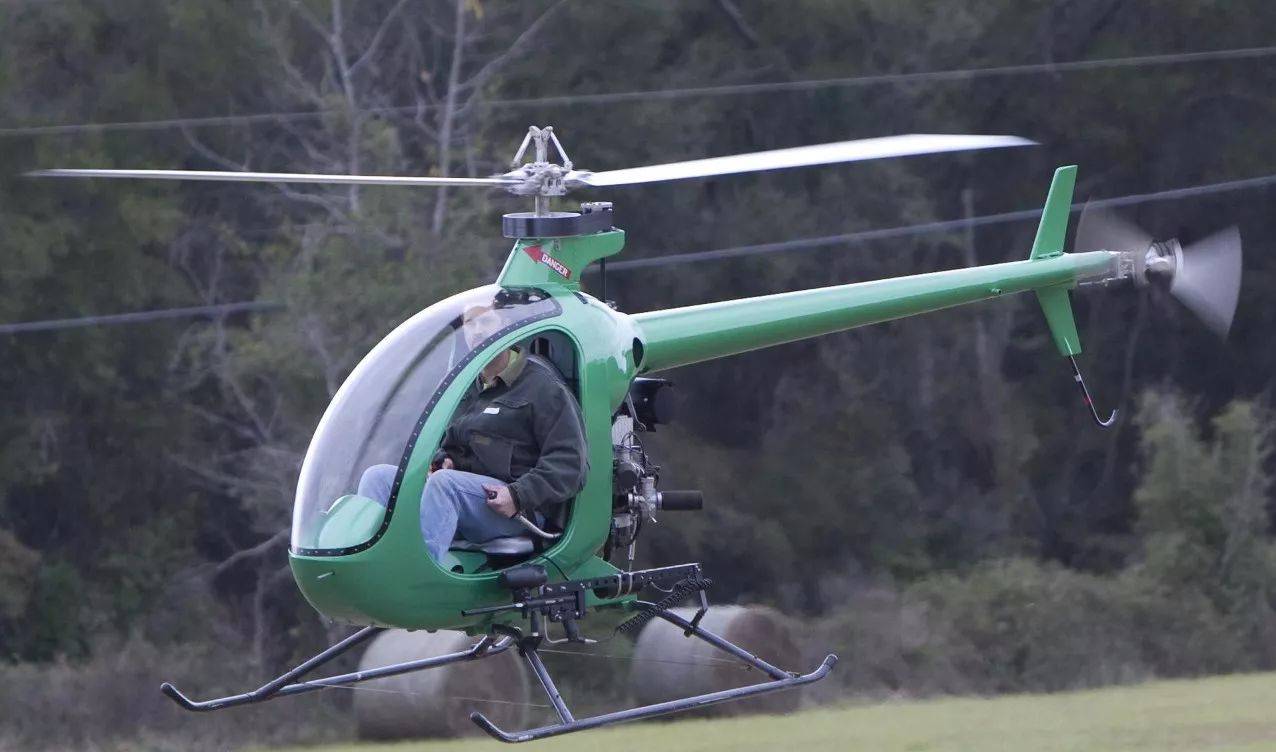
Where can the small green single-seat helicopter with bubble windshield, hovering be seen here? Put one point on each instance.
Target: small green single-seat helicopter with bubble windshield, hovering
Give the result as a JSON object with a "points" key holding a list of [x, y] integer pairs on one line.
{"points": [[363, 561]]}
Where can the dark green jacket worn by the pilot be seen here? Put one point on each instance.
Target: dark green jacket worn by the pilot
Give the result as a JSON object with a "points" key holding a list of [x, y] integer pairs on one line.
{"points": [[526, 432]]}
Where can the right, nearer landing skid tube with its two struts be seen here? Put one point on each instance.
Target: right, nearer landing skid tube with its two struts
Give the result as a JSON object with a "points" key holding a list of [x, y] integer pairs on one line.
{"points": [[780, 680]]}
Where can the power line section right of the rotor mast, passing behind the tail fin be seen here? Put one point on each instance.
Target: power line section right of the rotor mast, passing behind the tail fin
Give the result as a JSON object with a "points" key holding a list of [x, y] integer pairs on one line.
{"points": [[928, 228]]}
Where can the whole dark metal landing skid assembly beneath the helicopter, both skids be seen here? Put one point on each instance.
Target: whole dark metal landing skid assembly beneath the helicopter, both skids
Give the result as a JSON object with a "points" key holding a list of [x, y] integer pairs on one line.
{"points": [[548, 602]]}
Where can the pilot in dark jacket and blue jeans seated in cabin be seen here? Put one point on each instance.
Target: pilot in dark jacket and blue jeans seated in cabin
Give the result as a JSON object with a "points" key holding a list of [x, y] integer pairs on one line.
{"points": [[516, 445]]}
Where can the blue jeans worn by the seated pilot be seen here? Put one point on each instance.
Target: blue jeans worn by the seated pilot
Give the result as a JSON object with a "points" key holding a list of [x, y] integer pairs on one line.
{"points": [[454, 502]]}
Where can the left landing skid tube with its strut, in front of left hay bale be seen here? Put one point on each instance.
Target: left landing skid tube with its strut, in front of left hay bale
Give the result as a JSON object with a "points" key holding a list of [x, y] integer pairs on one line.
{"points": [[280, 686]]}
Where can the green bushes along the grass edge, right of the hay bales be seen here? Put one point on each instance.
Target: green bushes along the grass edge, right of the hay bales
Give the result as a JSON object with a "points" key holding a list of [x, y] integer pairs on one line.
{"points": [[1200, 601]]}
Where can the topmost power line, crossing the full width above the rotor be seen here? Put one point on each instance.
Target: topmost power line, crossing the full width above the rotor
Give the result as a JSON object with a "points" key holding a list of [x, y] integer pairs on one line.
{"points": [[677, 94]]}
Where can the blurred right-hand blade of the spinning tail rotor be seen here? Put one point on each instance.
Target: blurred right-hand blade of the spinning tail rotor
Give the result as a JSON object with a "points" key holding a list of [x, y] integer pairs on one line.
{"points": [[1209, 279]]}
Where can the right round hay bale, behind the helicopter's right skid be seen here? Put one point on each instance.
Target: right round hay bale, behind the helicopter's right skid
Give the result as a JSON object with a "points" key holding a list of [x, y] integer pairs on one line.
{"points": [[667, 666]]}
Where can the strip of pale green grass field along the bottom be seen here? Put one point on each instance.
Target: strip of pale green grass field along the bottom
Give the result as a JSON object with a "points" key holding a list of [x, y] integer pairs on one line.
{"points": [[1218, 714]]}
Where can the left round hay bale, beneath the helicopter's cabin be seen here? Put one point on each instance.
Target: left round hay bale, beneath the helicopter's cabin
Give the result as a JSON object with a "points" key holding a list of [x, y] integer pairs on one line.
{"points": [[437, 703]]}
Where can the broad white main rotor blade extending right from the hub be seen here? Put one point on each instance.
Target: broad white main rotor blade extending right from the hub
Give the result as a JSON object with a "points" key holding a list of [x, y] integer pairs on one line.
{"points": [[827, 154]]}
